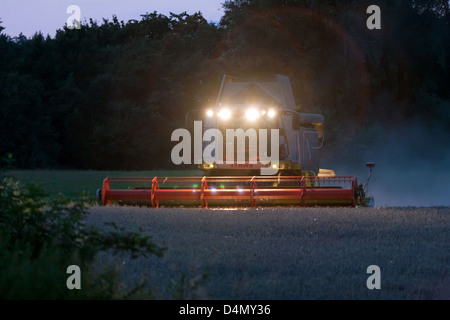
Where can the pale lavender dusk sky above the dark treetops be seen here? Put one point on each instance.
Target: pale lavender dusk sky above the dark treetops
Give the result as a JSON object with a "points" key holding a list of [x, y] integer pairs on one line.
{"points": [[30, 16]]}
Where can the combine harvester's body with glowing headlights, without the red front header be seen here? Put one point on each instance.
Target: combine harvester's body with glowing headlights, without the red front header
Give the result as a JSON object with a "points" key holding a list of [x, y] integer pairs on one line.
{"points": [[246, 111]]}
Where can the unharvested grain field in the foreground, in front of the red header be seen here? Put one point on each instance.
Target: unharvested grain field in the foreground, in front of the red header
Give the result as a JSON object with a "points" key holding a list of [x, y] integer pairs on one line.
{"points": [[289, 253]]}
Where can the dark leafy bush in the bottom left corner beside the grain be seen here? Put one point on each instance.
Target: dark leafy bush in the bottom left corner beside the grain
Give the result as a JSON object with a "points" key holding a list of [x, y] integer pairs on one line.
{"points": [[41, 236]]}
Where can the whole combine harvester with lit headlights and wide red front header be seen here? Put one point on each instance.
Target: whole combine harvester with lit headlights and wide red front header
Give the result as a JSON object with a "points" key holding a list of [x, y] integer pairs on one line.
{"points": [[292, 177]]}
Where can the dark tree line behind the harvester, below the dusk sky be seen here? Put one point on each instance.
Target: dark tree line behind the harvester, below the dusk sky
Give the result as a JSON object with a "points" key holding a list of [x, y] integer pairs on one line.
{"points": [[109, 95]]}
